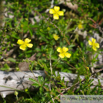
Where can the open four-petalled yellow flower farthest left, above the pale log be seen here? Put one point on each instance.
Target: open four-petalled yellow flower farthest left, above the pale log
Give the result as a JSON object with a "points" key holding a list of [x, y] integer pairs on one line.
{"points": [[24, 44]]}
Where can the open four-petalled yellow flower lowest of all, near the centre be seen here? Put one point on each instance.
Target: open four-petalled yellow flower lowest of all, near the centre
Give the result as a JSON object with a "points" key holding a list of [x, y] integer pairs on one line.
{"points": [[63, 52]]}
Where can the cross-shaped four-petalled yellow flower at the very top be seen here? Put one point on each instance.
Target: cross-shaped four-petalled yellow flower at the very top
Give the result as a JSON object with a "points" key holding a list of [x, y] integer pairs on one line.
{"points": [[56, 13]]}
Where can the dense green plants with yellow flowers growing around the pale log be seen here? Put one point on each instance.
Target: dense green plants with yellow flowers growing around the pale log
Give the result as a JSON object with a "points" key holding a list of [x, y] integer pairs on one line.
{"points": [[54, 37]]}
